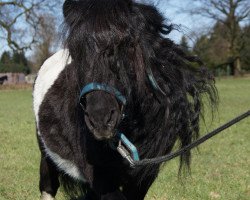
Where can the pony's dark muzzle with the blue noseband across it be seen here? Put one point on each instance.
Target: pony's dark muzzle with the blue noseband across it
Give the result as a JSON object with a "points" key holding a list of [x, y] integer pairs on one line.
{"points": [[103, 109]]}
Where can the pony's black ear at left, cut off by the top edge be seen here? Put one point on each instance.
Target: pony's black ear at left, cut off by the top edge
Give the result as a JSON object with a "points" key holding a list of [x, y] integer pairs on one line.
{"points": [[71, 11]]}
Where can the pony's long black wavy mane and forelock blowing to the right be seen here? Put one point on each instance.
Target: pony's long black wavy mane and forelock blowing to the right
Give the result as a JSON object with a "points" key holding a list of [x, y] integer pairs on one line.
{"points": [[113, 41]]}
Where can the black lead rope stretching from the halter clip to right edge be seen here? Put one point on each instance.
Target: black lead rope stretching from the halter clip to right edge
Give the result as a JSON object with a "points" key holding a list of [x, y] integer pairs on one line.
{"points": [[170, 156]]}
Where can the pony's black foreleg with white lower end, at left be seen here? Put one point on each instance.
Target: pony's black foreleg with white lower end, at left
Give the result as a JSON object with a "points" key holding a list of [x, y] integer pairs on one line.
{"points": [[49, 182]]}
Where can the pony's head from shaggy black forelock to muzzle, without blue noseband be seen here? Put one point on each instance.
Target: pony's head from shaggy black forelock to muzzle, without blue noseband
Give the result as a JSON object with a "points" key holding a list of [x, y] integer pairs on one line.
{"points": [[103, 39]]}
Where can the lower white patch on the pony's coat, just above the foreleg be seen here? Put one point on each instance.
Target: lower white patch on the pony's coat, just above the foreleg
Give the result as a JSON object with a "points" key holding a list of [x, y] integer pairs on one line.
{"points": [[65, 165]]}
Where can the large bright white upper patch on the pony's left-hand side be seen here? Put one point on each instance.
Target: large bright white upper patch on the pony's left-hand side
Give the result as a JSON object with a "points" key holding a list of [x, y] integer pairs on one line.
{"points": [[46, 77]]}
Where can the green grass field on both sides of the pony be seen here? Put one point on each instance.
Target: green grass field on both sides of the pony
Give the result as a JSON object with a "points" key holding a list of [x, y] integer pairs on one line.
{"points": [[220, 170]]}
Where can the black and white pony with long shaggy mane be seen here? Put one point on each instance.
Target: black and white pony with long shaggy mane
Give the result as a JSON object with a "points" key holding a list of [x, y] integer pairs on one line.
{"points": [[146, 88]]}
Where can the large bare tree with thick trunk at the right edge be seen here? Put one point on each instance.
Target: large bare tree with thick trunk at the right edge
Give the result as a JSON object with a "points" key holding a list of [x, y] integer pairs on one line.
{"points": [[230, 13]]}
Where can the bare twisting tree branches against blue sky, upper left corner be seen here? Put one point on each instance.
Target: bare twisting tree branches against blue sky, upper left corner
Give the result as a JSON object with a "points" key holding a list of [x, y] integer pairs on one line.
{"points": [[19, 21]]}
